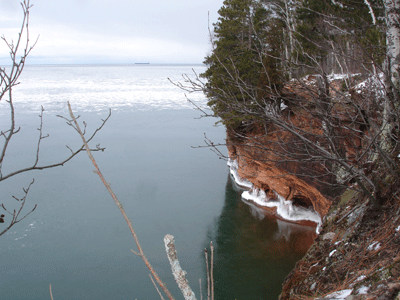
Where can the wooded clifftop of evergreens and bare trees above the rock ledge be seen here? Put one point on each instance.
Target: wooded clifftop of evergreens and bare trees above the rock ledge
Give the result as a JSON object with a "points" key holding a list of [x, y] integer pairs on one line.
{"points": [[313, 84]]}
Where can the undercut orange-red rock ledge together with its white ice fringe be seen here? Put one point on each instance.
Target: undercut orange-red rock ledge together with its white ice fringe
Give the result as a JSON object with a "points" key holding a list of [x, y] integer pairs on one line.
{"points": [[274, 189]]}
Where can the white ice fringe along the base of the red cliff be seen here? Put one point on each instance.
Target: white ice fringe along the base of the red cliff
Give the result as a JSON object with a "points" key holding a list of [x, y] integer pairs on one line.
{"points": [[284, 208]]}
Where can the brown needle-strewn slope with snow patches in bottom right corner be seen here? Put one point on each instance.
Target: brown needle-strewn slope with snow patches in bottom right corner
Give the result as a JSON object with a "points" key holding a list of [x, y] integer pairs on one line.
{"points": [[358, 250]]}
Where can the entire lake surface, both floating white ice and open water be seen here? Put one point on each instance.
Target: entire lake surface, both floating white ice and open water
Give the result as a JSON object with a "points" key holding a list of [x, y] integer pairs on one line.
{"points": [[77, 240]]}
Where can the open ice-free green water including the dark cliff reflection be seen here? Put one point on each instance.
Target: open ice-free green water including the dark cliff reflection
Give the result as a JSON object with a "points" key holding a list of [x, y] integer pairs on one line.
{"points": [[77, 241]]}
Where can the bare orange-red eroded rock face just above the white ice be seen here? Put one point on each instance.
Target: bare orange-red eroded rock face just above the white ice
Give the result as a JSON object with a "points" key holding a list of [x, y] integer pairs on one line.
{"points": [[264, 175]]}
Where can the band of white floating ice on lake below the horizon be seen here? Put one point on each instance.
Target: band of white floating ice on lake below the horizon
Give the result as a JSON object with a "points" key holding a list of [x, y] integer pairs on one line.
{"points": [[98, 88]]}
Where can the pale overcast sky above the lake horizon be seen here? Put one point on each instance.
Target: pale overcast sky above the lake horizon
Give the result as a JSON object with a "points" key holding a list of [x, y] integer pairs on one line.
{"points": [[113, 31]]}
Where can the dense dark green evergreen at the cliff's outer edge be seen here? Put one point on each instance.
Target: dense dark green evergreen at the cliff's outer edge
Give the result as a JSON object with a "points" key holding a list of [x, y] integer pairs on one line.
{"points": [[245, 48]]}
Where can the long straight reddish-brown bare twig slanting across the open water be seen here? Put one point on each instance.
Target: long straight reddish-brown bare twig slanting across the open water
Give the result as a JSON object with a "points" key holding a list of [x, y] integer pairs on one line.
{"points": [[118, 203]]}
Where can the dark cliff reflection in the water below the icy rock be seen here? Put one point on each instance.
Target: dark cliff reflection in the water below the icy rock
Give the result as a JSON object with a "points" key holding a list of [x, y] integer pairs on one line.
{"points": [[254, 252]]}
